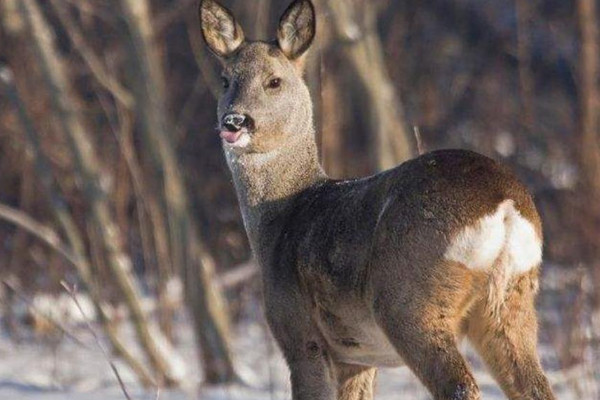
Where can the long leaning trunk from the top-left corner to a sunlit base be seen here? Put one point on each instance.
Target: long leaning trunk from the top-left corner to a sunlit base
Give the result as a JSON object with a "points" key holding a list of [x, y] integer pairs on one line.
{"points": [[89, 171]]}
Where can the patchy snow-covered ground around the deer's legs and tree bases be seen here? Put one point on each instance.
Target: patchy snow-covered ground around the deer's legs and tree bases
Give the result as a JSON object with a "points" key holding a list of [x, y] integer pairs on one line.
{"points": [[65, 370]]}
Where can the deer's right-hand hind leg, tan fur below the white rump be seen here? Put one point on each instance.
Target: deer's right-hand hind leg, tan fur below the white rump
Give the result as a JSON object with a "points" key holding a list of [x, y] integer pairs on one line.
{"points": [[506, 339]]}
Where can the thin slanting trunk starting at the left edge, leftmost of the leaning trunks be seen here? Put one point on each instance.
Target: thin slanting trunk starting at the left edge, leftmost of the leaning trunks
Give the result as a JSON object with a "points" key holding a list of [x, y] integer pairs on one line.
{"points": [[77, 254]]}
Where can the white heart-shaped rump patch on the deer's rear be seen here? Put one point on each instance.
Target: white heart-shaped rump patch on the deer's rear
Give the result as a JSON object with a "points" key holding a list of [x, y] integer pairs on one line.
{"points": [[506, 233]]}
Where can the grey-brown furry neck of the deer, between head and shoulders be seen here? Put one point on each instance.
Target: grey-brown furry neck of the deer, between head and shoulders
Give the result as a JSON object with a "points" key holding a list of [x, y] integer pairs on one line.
{"points": [[267, 183]]}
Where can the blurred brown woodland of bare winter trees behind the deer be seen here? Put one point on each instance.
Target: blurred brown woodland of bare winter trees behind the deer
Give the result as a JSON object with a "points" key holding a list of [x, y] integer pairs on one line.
{"points": [[112, 177]]}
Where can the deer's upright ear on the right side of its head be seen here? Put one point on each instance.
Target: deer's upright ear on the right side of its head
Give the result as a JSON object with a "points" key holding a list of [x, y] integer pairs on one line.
{"points": [[296, 29]]}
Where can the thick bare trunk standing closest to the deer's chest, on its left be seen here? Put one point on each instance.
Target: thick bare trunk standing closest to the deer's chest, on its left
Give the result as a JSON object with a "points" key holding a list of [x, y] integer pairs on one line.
{"points": [[187, 251]]}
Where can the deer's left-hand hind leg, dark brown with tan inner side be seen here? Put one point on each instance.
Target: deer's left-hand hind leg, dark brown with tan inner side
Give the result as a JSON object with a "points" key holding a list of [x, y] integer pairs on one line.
{"points": [[423, 324]]}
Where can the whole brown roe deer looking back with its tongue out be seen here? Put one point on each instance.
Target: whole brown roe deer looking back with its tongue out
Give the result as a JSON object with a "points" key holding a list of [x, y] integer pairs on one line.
{"points": [[393, 269]]}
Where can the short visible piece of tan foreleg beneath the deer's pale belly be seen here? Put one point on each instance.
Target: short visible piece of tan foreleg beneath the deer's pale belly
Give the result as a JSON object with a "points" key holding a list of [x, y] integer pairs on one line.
{"points": [[355, 382]]}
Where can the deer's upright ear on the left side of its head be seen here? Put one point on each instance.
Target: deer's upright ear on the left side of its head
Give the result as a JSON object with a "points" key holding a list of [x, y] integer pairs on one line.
{"points": [[222, 34]]}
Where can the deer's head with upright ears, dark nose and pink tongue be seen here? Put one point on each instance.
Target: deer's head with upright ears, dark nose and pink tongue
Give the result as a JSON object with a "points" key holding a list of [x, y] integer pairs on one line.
{"points": [[265, 102]]}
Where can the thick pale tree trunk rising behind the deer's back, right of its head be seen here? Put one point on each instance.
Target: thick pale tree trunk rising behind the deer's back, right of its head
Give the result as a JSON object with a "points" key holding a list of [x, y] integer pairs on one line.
{"points": [[364, 52]]}
